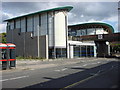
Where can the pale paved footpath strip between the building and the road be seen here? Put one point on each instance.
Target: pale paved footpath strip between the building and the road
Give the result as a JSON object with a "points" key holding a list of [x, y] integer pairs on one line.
{"points": [[34, 64]]}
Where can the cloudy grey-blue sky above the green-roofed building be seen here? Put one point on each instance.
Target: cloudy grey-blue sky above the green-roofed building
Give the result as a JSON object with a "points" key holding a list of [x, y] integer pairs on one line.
{"points": [[82, 12]]}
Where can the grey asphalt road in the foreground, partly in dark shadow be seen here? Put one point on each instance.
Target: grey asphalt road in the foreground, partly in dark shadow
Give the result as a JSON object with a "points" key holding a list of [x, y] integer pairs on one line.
{"points": [[83, 74]]}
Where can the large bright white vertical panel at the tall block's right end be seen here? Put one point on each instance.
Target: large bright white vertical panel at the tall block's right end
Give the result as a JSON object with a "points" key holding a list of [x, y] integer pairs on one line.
{"points": [[60, 31]]}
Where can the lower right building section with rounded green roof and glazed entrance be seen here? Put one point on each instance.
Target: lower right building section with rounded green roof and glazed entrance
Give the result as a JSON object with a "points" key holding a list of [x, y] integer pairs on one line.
{"points": [[85, 33]]}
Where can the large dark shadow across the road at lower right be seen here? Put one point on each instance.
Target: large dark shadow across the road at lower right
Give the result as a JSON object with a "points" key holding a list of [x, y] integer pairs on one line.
{"points": [[105, 80]]}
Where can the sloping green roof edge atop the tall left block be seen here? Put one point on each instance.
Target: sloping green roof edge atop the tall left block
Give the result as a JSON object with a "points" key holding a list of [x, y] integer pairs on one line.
{"points": [[68, 8]]}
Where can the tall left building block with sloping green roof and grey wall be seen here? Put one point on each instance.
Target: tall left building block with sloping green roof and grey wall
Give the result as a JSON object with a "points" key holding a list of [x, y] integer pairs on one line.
{"points": [[40, 34]]}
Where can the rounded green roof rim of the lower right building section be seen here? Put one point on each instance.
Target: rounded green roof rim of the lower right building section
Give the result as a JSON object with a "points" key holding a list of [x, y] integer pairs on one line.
{"points": [[94, 24]]}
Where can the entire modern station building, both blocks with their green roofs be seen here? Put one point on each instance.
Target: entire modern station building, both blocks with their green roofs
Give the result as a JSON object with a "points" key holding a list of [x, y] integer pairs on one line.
{"points": [[46, 34]]}
